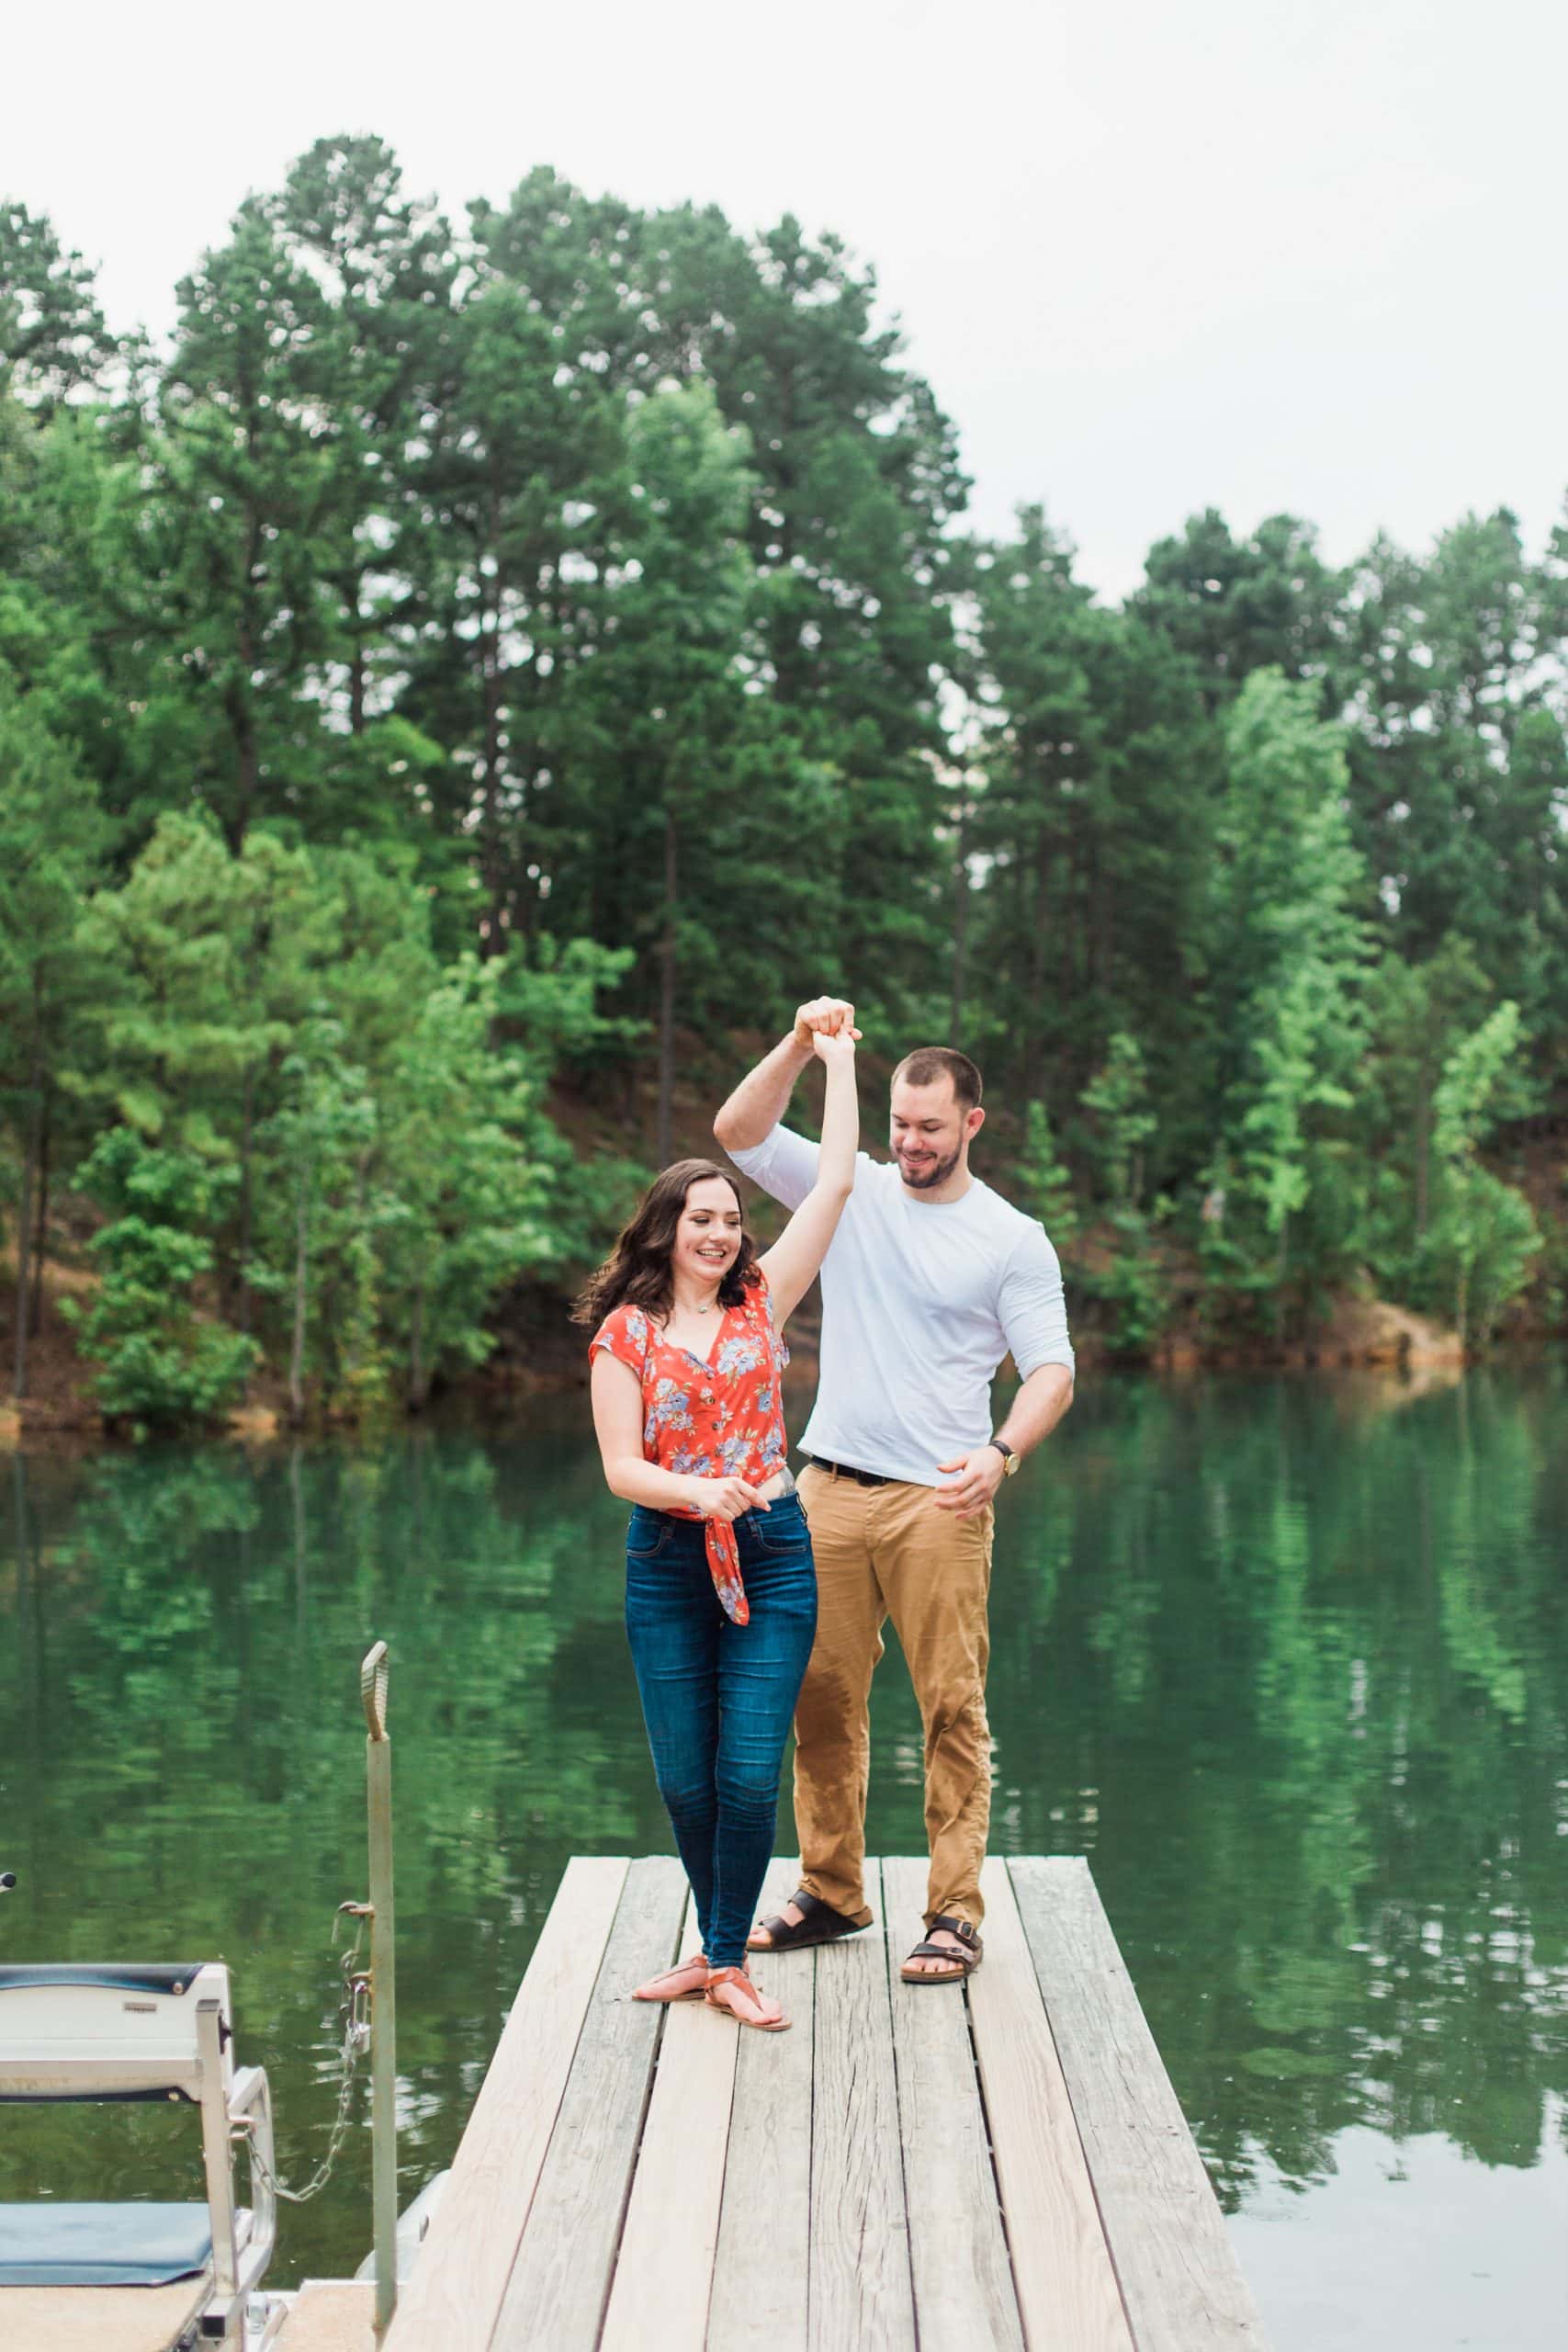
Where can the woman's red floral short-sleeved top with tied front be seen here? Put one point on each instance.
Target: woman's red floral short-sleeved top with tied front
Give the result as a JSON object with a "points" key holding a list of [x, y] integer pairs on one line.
{"points": [[711, 1419]]}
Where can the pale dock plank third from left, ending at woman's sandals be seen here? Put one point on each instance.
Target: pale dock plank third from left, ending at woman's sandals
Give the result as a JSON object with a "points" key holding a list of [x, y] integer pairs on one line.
{"points": [[664, 2276]]}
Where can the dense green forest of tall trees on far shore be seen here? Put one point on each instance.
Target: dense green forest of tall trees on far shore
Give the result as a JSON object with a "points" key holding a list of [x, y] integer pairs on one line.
{"points": [[474, 679]]}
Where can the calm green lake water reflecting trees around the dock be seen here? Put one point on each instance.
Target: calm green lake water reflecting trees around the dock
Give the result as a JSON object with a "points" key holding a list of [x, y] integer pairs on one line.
{"points": [[1287, 1659]]}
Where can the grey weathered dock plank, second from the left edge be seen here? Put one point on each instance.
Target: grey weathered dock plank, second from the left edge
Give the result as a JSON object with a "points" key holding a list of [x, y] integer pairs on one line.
{"points": [[563, 2273]]}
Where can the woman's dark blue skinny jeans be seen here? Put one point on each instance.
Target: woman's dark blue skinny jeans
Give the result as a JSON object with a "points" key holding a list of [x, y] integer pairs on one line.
{"points": [[718, 1697]]}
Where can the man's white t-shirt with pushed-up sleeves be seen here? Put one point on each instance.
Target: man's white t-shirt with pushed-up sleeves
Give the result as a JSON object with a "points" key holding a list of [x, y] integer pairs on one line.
{"points": [[920, 1304]]}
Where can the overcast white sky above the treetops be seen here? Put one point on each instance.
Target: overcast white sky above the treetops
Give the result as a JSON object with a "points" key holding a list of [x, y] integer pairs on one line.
{"points": [[1153, 255]]}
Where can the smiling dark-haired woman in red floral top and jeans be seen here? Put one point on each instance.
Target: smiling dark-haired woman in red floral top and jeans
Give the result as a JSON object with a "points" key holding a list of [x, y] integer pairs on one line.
{"points": [[721, 1586]]}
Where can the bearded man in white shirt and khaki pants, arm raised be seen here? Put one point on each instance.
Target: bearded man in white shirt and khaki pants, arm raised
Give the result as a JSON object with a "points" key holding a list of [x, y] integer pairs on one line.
{"points": [[927, 1285]]}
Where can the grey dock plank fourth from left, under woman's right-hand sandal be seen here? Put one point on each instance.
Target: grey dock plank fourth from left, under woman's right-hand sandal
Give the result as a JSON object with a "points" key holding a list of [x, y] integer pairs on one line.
{"points": [[760, 2306]]}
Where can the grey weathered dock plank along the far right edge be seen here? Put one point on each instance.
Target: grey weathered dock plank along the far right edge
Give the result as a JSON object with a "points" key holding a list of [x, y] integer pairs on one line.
{"points": [[1179, 2276]]}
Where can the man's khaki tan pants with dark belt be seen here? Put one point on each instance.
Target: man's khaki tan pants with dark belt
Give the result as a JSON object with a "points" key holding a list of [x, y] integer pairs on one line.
{"points": [[892, 1553]]}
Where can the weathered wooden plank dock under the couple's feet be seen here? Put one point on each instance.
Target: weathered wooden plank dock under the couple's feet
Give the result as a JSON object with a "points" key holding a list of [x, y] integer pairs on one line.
{"points": [[911, 2170]]}
